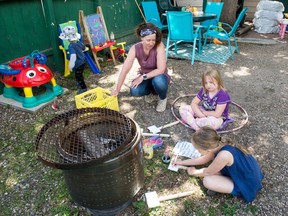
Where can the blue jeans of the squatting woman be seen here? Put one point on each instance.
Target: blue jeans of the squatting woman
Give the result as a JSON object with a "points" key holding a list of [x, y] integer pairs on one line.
{"points": [[156, 85]]}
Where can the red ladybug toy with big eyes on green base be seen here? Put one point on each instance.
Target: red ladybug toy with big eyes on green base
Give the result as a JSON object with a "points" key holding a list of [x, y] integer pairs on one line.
{"points": [[27, 73]]}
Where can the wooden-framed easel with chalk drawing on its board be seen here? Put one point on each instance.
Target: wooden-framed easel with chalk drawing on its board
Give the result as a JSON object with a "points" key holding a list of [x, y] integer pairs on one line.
{"points": [[94, 45]]}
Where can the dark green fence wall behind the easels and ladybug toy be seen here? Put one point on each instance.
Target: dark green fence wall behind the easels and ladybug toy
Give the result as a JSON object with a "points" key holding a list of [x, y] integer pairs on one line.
{"points": [[30, 25]]}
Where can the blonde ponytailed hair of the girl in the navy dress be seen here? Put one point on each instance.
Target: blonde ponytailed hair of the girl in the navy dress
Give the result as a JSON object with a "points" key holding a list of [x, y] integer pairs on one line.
{"points": [[207, 138]]}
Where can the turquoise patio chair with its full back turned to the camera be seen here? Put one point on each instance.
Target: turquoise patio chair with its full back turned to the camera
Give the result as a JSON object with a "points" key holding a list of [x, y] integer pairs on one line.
{"points": [[180, 29]]}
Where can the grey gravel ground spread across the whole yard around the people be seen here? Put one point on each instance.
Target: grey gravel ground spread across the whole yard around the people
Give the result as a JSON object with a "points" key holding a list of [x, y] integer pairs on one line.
{"points": [[256, 79]]}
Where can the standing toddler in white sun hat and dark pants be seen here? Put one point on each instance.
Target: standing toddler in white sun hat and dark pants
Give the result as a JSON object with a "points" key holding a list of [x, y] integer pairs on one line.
{"points": [[77, 57]]}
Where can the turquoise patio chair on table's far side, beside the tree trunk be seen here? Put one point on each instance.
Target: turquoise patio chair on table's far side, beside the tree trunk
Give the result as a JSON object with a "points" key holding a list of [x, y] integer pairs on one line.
{"points": [[215, 8]]}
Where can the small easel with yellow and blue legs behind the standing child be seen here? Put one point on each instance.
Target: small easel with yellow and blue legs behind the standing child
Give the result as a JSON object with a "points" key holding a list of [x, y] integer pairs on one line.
{"points": [[64, 47]]}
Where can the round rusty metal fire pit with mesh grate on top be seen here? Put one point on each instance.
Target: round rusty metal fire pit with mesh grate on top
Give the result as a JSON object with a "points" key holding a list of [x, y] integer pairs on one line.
{"points": [[100, 154]]}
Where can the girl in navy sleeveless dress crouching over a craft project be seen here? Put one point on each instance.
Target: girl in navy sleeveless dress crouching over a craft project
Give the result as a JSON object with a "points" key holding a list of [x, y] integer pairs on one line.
{"points": [[233, 170]]}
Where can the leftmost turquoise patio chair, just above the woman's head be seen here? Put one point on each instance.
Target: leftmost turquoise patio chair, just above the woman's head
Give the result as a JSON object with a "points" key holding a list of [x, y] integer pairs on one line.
{"points": [[151, 13]]}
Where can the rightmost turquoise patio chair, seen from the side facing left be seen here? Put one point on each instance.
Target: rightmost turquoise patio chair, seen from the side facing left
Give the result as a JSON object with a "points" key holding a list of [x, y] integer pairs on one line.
{"points": [[213, 32]]}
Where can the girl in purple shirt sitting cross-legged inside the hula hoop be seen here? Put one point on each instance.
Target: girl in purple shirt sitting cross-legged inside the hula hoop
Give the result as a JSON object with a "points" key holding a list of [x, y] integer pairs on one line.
{"points": [[213, 100]]}
